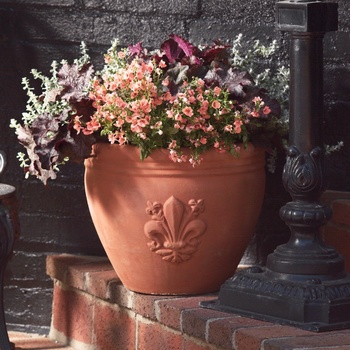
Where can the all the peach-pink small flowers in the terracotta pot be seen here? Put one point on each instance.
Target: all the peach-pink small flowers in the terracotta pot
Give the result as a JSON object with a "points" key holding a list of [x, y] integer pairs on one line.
{"points": [[134, 105]]}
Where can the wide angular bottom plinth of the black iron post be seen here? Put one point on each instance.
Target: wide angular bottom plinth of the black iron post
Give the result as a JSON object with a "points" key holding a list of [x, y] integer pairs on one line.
{"points": [[312, 305]]}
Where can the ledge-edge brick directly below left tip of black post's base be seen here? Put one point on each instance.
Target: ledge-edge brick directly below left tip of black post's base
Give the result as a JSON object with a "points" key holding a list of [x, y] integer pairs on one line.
{"points": [[194, 321]]}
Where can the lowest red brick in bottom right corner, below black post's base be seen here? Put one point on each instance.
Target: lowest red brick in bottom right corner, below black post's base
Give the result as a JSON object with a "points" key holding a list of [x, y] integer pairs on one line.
{"points": [[315, 341]]}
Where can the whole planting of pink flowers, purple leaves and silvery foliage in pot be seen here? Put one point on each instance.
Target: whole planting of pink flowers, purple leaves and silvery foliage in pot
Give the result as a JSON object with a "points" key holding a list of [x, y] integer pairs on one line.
{"points": [[181, 96]]}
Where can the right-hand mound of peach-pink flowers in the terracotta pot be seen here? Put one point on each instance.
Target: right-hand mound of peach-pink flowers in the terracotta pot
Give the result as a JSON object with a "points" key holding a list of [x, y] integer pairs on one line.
{"points": [[207, 117]]}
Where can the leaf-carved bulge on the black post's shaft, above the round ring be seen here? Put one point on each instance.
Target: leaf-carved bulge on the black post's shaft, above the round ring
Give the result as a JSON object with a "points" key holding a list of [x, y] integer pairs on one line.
{"points": [[303, 173]]}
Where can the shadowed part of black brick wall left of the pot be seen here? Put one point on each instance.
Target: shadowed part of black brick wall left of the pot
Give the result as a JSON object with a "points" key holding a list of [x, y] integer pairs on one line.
{"points": [[53, 219]]}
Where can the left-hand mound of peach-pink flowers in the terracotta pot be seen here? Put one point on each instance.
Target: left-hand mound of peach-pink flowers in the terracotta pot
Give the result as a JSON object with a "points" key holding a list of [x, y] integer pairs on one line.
{"points": [[125, 103]]}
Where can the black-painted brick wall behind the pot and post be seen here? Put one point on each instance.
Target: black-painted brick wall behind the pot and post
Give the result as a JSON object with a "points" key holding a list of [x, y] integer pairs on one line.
{"points": [[34, 32]]}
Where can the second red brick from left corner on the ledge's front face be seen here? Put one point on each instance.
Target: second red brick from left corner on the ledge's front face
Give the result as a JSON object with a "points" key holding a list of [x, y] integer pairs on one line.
{"points": [[114, 328]]}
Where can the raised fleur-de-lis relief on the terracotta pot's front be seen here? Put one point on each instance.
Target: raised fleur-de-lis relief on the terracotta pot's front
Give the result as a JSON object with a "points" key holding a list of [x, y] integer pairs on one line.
{"points": [[174, 230]]}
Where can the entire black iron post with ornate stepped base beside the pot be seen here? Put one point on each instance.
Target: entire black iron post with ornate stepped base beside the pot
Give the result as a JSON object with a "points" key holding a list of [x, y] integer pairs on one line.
{"points": [[304, 283]]}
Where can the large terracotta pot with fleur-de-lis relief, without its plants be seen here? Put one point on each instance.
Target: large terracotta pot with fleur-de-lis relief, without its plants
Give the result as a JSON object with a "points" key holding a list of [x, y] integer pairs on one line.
{"points": [[170, 228]]}
